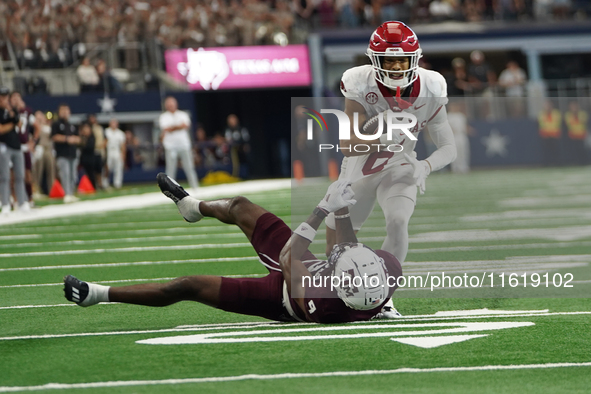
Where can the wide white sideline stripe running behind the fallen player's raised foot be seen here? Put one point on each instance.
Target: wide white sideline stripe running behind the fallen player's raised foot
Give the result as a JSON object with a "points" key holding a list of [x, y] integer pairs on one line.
{"points": [[143, 200]]}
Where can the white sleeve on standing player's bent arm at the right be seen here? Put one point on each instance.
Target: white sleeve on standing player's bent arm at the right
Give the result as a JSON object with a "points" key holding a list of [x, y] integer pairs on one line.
{"points": [[442, 135]]}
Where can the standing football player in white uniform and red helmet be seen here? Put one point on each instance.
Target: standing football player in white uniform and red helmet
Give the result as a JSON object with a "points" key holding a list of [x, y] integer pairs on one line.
{"points": [[394, 81]]}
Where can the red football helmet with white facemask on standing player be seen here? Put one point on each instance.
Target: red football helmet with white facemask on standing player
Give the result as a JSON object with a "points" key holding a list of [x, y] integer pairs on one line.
{"points": [[394, 39]]}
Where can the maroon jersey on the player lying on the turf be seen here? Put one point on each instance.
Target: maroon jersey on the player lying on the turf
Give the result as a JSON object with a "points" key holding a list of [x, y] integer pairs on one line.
{"points": [[323, 304]]}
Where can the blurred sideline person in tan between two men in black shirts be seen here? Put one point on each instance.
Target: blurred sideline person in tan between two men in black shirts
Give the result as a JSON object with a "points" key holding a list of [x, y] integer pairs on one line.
{"points": [[44, 163]]}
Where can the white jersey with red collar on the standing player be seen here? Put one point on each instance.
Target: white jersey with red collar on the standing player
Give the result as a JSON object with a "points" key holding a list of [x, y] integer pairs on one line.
{"points": [[429, 94]]}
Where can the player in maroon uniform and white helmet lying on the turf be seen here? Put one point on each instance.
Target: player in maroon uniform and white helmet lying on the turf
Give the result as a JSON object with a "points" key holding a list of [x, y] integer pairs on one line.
{"points": [[288, 292]]}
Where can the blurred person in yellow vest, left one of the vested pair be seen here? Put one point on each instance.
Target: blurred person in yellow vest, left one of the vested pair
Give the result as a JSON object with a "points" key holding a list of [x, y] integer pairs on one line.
{"points": [[549, 122]]}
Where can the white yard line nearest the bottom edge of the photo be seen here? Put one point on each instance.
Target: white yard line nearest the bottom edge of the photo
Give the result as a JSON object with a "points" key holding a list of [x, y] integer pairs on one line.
{"points": [[128, 383]]}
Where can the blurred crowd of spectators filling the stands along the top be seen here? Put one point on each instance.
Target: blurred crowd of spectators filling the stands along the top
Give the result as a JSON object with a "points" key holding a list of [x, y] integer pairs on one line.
{"points": [[44, 33]]}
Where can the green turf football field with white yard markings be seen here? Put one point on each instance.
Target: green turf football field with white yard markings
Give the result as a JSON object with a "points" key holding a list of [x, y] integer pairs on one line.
{"points": [[532, 221]]}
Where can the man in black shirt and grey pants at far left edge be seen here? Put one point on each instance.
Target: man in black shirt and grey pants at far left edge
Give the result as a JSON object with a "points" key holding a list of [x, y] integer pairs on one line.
{"points": [[10, 152]]}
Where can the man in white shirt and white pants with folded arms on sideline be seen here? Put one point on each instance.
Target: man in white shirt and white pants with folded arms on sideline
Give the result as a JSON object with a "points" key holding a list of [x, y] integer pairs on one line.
{"points": [[174, 125]]}
